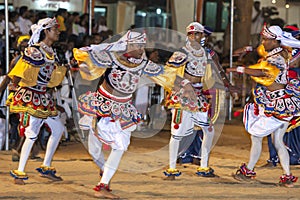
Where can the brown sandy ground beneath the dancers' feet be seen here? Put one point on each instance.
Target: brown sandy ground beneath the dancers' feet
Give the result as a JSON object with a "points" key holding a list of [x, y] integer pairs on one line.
{"points": [[80, 174]]}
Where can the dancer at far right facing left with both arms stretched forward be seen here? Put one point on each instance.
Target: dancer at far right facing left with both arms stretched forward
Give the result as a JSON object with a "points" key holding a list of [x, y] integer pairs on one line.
{"points": [[275, 100]]}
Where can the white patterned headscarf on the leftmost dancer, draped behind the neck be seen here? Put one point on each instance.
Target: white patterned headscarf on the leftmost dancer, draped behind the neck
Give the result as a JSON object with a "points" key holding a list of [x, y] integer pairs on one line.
{"points": [[41, 25]]}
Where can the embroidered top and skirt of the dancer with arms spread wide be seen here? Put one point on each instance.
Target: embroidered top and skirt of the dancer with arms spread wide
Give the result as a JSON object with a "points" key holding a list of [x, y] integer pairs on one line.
{"points": [[123, 77]]}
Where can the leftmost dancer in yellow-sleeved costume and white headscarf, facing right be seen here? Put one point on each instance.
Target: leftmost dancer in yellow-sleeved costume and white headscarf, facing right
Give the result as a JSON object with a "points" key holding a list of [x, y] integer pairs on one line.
{"points": [[36, 70]]}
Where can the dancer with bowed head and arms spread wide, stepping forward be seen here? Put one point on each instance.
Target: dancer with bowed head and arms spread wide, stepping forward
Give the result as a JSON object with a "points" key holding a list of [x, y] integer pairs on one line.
{"points": [[121, 64]]}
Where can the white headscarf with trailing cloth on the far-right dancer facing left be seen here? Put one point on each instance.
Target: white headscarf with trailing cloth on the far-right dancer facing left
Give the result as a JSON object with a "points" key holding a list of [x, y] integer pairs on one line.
{"points": [[276, 33]]}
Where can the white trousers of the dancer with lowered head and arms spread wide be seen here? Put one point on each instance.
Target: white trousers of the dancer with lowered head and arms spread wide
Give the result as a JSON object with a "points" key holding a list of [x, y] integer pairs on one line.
{"points": [[111, 133]]}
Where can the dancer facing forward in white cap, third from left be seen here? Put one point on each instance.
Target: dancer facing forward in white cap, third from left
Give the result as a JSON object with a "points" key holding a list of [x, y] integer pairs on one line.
{"points": [[191, 62]]}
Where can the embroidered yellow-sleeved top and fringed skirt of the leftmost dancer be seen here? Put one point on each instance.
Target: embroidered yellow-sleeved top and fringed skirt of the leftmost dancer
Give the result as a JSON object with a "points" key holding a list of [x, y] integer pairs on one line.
{"points": [[38, 71]]}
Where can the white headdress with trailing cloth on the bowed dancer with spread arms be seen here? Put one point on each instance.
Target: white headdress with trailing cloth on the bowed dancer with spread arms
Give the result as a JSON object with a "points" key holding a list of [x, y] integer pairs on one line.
{"points": [[130, 37]]}
